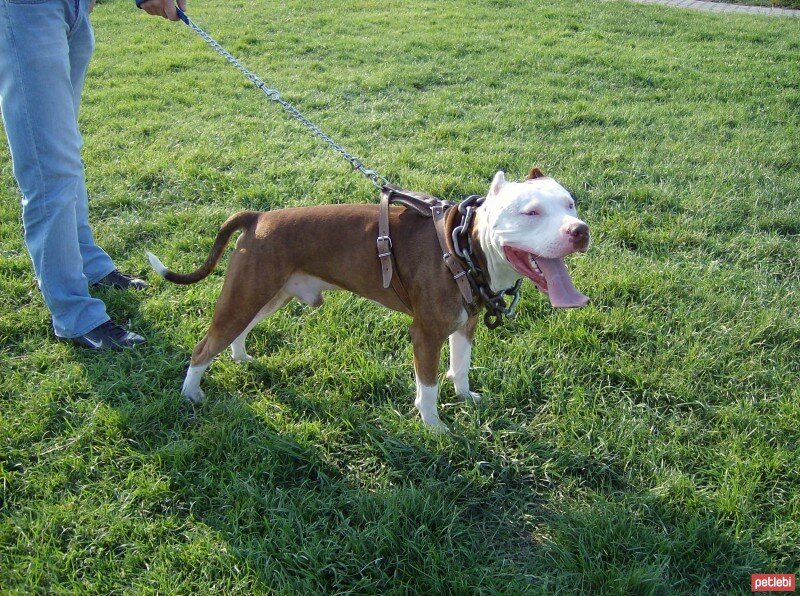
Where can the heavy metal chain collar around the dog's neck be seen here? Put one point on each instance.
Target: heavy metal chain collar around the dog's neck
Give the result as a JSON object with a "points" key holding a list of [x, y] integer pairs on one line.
{"points": [[496, 306]]}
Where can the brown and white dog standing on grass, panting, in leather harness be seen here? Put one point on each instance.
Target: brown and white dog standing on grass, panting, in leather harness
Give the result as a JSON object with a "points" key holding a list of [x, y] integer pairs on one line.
{"points": [[523, 229]]}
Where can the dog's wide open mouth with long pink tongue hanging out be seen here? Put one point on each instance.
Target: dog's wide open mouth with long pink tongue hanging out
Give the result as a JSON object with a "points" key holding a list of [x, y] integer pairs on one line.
{"points": [[548, 275]]}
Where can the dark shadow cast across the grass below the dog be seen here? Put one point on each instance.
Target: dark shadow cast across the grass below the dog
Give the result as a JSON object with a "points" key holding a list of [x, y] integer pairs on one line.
{"points": [[287, 493]]}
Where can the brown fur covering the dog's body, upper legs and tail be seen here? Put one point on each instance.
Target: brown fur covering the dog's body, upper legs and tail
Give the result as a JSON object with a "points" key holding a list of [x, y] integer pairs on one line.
{"points": [[335, 243]]}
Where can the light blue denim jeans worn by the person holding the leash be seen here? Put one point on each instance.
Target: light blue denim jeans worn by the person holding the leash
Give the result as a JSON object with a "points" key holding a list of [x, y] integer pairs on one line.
{"points": [[45, 46]]}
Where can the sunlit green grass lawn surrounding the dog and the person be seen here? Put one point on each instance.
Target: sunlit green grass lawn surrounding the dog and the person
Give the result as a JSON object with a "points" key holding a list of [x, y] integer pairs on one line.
{"points": [[648, 443]]}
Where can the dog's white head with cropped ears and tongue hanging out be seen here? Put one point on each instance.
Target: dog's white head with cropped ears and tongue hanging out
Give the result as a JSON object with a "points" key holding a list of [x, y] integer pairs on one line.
{"points": [[526, 229]]}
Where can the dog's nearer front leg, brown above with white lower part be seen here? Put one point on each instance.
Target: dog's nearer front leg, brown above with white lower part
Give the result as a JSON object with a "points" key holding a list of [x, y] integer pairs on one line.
{"points": [[427, 351]]}
